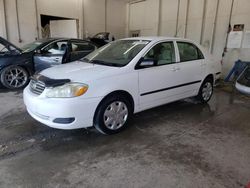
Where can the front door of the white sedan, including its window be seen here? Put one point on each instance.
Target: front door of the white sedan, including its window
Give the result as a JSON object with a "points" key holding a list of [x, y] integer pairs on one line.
{"points": [[158, 80]]}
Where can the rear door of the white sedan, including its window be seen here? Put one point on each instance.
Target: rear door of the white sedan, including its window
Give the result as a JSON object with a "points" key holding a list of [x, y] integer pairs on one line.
{"points": [[189, 68]]}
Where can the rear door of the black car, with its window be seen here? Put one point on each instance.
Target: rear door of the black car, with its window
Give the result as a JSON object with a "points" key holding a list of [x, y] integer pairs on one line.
{"points": [[80, 49]]}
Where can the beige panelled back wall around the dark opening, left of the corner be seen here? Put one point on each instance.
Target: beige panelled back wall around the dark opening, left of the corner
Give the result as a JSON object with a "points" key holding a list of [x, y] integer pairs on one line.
{"points": [[92, 17]]}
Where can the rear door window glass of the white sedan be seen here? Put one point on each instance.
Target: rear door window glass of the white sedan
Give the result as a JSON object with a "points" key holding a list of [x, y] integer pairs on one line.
{"points": [[189, 52]]}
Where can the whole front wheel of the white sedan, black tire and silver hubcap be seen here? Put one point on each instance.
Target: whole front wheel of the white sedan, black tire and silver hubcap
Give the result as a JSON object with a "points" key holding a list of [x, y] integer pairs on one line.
{"points": [[112, 115]]}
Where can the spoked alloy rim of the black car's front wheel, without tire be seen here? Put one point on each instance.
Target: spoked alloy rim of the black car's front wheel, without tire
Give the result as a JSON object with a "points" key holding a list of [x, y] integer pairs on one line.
{"points": [[16, 77]]}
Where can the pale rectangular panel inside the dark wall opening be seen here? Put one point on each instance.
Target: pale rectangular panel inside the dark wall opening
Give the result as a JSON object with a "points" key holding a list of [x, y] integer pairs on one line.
{"points": [[63, 28]]}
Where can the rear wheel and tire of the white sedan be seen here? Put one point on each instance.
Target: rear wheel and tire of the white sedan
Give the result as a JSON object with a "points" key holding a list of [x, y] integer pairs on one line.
{"points": [[206, 91]]}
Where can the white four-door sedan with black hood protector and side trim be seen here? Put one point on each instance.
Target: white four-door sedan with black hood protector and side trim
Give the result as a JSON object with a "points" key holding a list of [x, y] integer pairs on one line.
{"points": [[124, 77]]}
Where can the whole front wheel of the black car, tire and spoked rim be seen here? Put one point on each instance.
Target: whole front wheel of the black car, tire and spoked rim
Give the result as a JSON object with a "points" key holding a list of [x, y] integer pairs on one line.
{"points": [[14, 77]]}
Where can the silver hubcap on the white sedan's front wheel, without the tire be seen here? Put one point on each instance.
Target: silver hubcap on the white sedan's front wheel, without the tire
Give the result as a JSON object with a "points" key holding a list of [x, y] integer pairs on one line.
{"points": [[115, 115]]}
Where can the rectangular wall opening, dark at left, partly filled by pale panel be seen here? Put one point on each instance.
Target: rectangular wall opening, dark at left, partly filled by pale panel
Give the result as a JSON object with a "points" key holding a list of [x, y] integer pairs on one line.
{"points": [[53, 26]]}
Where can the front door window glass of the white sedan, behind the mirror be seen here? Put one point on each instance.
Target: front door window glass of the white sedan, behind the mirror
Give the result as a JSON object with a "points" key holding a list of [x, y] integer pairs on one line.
{"points": [[162, 54]]}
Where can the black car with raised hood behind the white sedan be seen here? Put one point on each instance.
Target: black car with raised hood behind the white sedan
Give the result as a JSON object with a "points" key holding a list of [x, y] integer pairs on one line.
{"points": [[17, 64]]}
